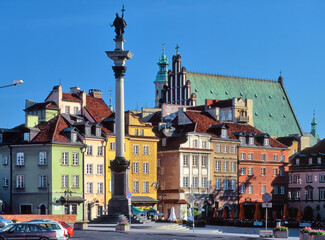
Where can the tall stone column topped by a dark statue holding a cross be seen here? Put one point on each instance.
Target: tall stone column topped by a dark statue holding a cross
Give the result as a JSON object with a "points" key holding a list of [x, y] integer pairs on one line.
{"points": [[118, 204]]}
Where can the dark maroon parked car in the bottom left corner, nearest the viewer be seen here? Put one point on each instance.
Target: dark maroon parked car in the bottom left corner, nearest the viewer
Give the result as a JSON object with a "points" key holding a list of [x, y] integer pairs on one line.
{"points": [[26, 231]]}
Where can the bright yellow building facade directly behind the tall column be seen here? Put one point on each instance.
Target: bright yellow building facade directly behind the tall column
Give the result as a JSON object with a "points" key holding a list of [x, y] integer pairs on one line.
{"points": [[141, 151]]}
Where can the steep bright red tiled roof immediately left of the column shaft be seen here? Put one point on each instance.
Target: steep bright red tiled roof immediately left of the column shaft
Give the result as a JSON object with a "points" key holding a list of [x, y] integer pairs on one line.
{"points": [[97, 108]]}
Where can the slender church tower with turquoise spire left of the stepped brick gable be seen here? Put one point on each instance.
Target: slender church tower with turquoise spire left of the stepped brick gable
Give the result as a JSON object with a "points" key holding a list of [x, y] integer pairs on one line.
{"points": [[161, 78]]}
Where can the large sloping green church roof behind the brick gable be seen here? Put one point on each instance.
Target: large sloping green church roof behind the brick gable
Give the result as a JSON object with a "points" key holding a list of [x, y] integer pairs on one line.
{"points": [[272, 110]]}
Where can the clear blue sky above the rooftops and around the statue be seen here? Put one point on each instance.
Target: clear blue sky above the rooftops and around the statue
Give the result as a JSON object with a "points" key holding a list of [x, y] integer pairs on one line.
{"points": [[45, 41]]}
